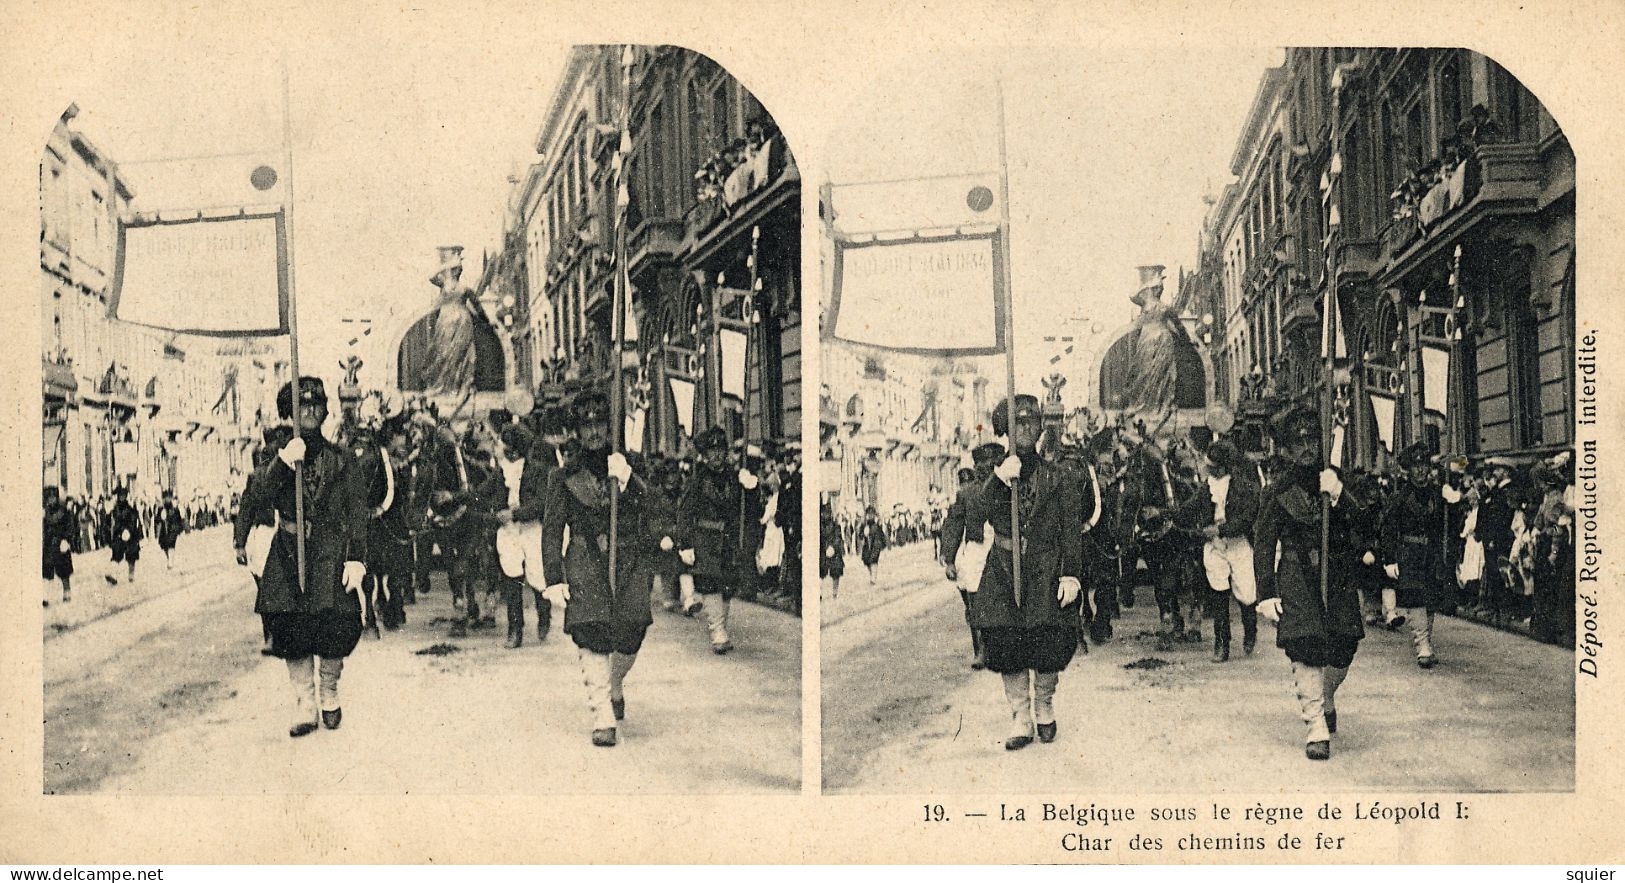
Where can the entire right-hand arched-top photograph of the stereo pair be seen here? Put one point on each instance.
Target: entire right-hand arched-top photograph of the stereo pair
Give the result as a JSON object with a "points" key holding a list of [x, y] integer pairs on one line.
{"points": [[1198, 420]]}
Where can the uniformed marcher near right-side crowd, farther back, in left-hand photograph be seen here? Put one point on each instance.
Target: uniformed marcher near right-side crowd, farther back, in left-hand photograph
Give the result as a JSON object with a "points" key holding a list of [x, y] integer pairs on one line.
{"points": [[709, 533]]}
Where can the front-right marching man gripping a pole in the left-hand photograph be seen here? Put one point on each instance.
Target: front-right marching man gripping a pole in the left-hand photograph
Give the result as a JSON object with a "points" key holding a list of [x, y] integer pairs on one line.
{"points": [[607, 619]]}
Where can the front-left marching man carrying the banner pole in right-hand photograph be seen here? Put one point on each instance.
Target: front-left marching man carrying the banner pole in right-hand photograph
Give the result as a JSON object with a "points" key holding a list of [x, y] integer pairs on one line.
{"points": [[1028, 632]]}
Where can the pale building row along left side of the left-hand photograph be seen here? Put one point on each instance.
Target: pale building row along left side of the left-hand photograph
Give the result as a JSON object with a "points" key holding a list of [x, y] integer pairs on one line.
{"points": [[126, 404]]}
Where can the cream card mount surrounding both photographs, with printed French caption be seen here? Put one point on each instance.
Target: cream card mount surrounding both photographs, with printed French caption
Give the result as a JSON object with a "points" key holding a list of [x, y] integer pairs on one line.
{"points": [[792, 56]]}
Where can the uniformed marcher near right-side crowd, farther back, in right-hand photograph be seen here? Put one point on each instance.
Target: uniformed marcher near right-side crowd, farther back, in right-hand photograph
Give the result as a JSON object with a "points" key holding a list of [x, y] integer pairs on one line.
{"points": [[1413, 550]]}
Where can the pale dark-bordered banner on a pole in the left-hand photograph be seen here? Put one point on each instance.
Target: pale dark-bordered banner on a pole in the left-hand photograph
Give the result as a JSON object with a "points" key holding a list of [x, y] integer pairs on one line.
{"points": [[223, 277]]}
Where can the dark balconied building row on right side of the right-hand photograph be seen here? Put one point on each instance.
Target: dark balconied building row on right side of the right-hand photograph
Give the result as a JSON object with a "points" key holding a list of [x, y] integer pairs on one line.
{"points": [[1447, 198]]}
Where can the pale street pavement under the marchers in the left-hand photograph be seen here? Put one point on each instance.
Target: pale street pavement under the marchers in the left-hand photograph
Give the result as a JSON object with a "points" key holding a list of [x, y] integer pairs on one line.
{"points": [[160, 689]]}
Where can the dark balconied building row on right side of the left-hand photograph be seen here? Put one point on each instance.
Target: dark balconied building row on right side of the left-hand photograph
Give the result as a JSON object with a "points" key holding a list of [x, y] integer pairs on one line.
{"points": [[711, 228]]}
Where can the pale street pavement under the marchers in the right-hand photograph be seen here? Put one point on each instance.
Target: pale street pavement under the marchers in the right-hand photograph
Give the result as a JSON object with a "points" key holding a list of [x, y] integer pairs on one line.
{"points": [[904, 711]]}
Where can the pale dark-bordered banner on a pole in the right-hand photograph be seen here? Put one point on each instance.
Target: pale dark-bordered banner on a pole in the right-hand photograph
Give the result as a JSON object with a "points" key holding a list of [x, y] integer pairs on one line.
{"points": [[938, 295]]}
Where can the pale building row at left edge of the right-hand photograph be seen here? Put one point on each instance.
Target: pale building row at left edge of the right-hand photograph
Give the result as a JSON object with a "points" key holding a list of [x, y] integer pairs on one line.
{"points": [[896, 427]]}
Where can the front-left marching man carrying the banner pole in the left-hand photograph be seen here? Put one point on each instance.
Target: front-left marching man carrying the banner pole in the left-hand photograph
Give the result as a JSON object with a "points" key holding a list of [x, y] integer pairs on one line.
{"points": [[316, 619]]}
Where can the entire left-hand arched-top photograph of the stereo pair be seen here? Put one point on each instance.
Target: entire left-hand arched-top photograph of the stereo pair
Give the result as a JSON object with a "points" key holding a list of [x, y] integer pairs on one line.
{"points": [[422, 433]]}
